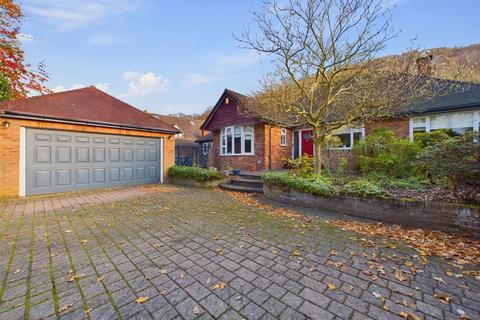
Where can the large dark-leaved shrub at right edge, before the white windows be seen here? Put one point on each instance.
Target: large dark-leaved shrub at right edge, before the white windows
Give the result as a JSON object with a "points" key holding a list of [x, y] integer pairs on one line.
{"points": [[458, 161]]}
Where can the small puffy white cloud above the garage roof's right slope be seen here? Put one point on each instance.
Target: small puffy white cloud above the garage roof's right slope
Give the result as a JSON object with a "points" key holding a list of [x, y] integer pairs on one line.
{"points": [[143, 84]]}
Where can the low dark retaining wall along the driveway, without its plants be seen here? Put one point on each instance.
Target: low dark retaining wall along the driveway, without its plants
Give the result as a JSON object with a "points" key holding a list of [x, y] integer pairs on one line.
{"points": [[425, 214]]}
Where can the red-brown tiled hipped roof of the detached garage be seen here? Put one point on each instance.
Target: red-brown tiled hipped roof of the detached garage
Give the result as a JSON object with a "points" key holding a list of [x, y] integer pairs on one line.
{"points": [[87, 105]]}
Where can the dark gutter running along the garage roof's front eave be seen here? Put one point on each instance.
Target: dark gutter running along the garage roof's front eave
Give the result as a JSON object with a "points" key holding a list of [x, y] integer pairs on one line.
{"points": [[27, 116]]}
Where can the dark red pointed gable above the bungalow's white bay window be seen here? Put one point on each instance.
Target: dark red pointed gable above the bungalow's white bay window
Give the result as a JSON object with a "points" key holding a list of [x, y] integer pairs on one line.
{"points": [[226, 113]]}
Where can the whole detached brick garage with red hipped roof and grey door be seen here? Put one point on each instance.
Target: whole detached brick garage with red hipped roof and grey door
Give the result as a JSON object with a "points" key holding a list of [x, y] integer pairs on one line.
{"points": [[80, 139]]}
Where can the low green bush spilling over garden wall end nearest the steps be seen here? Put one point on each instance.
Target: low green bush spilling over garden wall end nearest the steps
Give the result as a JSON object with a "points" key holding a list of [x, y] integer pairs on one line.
{"points": [[314, 184]]}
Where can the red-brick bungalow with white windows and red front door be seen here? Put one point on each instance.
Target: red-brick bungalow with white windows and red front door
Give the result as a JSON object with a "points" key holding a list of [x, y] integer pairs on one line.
{"points": [[248, 143]]}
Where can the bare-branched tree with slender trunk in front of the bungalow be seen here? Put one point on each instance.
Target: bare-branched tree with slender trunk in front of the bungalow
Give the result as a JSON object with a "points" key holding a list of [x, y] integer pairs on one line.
{"points": [[327, 73]]}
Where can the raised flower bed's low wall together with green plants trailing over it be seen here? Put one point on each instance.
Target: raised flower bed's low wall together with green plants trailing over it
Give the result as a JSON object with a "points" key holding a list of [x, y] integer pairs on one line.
{"points": [[358, 201]]}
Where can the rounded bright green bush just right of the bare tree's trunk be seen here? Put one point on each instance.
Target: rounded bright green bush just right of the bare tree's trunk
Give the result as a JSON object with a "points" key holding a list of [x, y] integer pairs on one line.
{"points": [[382, 153]]}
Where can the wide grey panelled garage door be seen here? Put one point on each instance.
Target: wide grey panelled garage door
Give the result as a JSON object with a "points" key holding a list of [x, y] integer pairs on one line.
{"points": [[58, 161]]}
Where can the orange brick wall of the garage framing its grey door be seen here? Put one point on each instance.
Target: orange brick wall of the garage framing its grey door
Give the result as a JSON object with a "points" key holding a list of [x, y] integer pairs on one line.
{"points": [[10, 148]]}
